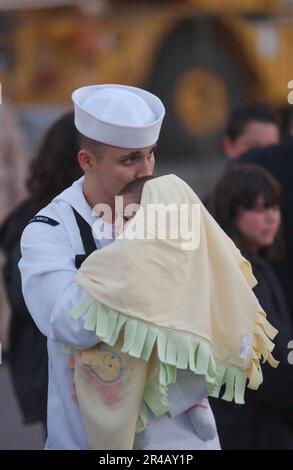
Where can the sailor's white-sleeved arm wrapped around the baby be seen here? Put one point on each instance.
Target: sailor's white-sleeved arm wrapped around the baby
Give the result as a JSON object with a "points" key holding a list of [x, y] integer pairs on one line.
{"points": [[50, 292]]}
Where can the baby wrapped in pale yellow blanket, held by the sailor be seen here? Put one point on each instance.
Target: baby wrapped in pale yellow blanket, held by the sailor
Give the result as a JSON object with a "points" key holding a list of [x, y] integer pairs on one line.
{"points": [[176, 321]]}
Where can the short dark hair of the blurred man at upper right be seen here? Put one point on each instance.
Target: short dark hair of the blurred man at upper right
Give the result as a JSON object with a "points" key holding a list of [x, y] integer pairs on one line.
{"points": [[243, 115]]}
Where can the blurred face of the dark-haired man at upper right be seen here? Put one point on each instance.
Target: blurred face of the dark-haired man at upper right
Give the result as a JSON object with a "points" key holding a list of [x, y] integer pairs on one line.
{"points": [[255, 135]]}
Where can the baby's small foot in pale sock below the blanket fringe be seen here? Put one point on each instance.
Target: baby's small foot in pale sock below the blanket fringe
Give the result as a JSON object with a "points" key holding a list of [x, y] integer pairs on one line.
{"points": [[202, 420]]}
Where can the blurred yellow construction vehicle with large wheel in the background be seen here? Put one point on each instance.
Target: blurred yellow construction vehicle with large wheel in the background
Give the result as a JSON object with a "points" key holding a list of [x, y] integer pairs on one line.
{"points": [[202, 57]]}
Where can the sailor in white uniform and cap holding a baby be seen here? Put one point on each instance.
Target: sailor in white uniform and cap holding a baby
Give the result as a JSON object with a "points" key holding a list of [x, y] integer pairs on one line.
{"points": [[118, 128]]}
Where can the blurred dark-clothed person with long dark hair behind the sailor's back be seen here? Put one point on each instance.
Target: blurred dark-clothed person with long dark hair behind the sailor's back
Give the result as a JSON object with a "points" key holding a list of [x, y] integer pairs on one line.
{"points": [[54, 168]]}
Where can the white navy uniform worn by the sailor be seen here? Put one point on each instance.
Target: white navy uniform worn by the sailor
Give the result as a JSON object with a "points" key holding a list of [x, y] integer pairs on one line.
{"points": [[50, 292]]}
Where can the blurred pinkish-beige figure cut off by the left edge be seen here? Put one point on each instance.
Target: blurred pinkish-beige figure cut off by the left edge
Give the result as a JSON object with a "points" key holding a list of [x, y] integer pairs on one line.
{"points": [[13, 170]]}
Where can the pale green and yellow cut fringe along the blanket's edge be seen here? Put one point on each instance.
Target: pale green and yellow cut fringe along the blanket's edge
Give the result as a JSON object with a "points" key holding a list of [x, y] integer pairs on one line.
{"points": [[177, 351]]}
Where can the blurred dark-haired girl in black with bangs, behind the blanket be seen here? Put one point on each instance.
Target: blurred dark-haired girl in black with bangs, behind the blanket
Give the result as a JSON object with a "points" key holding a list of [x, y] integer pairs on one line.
{"points": [[246, 204]]}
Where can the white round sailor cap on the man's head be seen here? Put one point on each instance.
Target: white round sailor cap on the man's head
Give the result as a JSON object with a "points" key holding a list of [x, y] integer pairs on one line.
{"points": [[118, 115]]}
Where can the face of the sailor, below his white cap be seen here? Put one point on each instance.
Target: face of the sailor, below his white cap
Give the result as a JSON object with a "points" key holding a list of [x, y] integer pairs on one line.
{"points": [[120, 166]]}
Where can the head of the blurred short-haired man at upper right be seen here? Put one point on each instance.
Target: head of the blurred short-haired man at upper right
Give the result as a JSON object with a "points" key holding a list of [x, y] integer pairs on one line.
{"points": [[250, 126]]}
